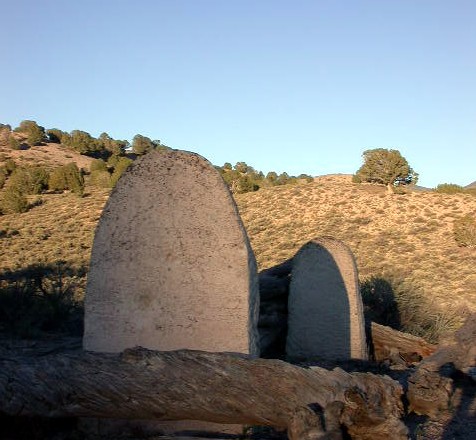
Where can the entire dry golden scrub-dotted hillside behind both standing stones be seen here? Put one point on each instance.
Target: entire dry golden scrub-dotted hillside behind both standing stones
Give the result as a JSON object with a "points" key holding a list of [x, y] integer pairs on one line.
{"points": [[405, 240]]}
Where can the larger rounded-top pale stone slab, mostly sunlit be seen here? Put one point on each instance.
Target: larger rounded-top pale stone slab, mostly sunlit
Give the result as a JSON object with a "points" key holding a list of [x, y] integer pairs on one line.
{"points": [[171, 265]]}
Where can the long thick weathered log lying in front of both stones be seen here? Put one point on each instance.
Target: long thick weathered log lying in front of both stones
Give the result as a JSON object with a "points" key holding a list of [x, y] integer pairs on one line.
{"points": [[190, 385]]}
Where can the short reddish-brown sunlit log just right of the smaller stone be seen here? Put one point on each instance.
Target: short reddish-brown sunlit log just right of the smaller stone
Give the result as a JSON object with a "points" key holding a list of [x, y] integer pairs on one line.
{"points": [[393, 345]]}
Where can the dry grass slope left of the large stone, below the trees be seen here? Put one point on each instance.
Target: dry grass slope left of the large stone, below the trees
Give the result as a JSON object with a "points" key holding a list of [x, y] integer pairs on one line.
{"points": [[61, 228]]}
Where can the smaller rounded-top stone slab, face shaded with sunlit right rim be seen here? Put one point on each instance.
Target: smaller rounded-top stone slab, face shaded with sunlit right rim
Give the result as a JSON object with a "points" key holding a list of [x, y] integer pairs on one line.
{"points": [[325, 307]]}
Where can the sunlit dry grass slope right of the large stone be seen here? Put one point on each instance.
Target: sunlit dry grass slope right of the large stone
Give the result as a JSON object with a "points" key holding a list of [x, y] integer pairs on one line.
{"points": [[409, 235]]}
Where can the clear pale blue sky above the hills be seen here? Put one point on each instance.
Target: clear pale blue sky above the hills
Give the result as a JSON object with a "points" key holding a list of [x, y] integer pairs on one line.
{"points": [[298, 86]]}
